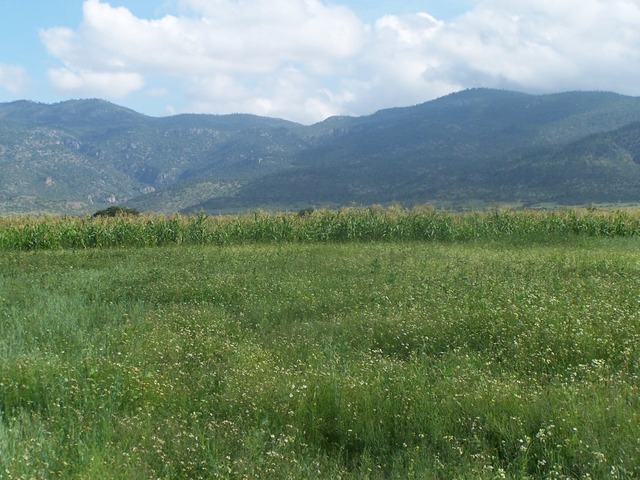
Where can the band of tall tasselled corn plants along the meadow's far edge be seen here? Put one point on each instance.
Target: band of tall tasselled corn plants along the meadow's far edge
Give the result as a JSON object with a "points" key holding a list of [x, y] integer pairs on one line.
{"points": [[345, 225]]}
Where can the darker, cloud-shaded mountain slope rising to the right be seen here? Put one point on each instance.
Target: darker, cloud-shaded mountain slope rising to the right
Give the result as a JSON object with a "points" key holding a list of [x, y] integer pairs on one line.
{"points": [[477, 145]]}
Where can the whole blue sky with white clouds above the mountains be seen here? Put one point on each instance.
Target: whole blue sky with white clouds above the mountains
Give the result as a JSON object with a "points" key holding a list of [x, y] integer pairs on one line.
{"points": [[306, 60]]}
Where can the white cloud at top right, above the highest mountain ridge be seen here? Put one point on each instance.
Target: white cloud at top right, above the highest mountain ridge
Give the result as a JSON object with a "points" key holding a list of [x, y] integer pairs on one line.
{"points": [[544, 45]]}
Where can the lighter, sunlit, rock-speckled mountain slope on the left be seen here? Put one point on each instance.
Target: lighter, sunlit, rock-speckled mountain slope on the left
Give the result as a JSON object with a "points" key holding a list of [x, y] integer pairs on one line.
{"points": [[80, 155]]}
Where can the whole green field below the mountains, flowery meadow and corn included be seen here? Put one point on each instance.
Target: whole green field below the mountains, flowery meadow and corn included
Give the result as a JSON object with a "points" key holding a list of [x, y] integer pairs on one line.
{"points": [[356, 344]]}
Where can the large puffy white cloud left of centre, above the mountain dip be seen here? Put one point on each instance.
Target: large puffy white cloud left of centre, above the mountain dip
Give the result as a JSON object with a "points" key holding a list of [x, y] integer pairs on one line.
{"points": [[263, 56]]}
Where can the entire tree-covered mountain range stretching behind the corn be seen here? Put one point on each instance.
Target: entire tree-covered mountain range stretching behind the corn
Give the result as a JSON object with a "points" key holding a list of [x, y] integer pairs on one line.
{"points": [[471, 148]]}
